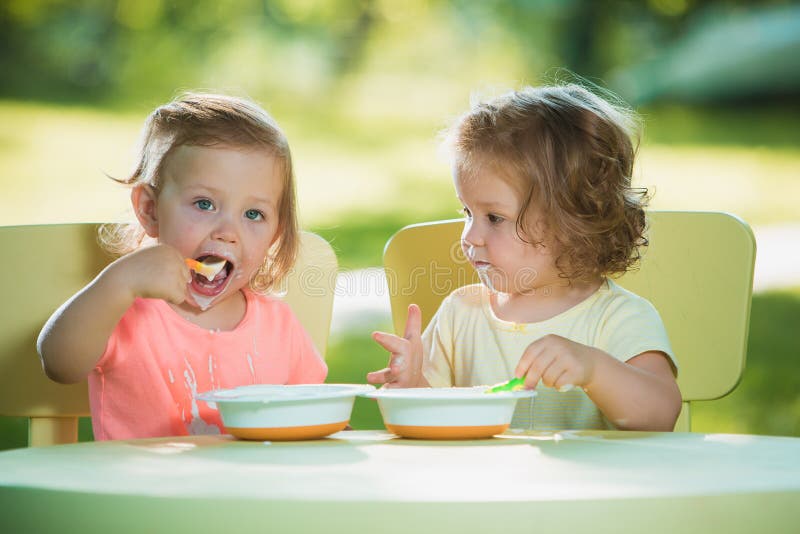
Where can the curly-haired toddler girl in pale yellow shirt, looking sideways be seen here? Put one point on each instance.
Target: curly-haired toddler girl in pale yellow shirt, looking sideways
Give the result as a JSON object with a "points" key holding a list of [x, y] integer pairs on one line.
{"points": [[544, 177]]}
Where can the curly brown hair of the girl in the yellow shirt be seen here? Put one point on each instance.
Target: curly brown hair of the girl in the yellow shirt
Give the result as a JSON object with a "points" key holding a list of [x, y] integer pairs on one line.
{"points": [[569, 154]]}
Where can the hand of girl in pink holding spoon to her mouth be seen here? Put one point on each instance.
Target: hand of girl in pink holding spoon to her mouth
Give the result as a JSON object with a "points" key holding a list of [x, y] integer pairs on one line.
{"points": [[153, 272]]}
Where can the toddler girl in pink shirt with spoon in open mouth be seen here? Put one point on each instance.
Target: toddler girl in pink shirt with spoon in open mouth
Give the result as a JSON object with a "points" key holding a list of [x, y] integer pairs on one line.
{"points": [[214, 183]]}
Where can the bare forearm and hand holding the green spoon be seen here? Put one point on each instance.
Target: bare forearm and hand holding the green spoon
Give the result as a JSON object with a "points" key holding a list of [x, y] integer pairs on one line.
{"points": [[640, 394]]}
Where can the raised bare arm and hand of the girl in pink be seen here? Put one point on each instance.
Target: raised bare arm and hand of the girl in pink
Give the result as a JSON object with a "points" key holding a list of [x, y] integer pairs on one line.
{"points": [[75, 336]]}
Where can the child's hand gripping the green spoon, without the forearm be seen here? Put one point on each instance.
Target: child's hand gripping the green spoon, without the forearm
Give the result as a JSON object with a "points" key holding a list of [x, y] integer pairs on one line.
{"points": [[558, 362]]}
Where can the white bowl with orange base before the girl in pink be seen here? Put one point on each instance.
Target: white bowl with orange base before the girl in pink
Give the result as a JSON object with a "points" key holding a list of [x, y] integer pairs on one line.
{"points": [[283, 413]]}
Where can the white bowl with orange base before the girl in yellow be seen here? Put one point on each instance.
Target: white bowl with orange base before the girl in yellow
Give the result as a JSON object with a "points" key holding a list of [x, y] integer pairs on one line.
{"points": [[446, 413]]}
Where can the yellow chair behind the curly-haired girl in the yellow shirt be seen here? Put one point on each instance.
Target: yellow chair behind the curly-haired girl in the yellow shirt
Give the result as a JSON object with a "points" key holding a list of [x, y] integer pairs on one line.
{"points": [[697, 271]]}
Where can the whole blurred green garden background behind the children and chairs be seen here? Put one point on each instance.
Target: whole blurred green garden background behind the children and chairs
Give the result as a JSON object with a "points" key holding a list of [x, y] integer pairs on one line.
{"points": [[362, 88]]}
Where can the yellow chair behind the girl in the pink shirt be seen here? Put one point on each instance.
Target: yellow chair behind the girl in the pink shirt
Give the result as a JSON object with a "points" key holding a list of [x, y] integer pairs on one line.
{"points": [[49, 263]]}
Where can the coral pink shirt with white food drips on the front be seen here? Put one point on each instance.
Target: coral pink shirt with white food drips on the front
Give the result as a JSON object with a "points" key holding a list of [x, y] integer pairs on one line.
{"points": [[155, 361]]}
